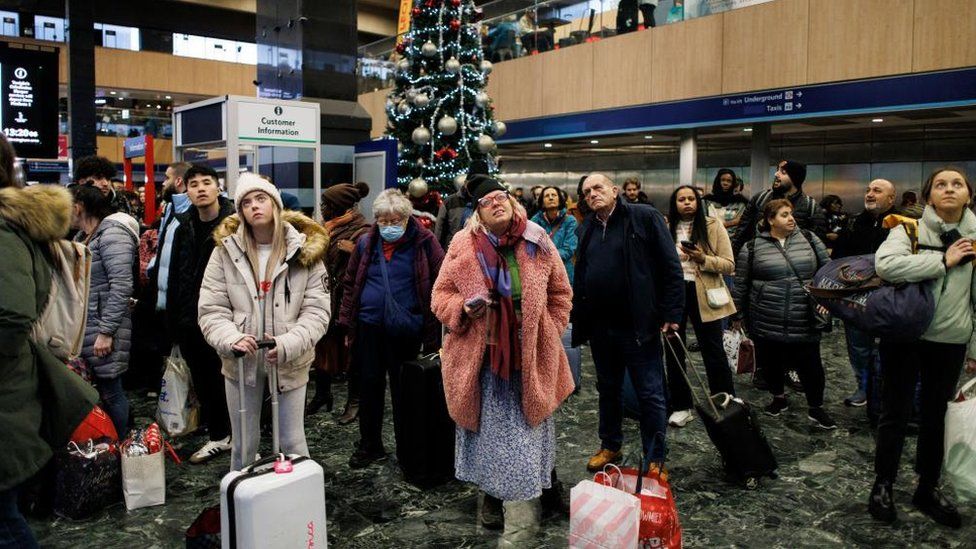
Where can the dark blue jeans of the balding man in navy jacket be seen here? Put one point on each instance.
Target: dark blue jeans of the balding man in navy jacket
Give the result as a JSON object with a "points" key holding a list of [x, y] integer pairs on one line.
{"points": [[616, 352]]}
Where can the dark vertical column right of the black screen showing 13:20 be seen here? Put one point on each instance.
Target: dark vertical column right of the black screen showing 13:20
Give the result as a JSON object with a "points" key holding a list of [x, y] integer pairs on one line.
{"points": [[81, 78]]}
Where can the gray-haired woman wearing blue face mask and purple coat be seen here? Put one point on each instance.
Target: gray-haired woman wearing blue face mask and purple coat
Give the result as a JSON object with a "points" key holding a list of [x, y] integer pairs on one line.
{"points": [[396, 261]]}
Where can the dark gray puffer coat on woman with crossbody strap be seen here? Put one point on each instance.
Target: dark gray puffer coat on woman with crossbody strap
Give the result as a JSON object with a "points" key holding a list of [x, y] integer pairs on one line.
{"points": [[768, 294]]}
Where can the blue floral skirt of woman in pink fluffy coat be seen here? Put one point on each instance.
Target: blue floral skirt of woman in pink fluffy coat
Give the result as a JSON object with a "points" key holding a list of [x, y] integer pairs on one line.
{"points": [[506, 458]]}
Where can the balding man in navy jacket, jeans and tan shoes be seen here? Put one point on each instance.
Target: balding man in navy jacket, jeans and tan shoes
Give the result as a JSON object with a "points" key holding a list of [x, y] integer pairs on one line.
{"points": [[628, 288]]}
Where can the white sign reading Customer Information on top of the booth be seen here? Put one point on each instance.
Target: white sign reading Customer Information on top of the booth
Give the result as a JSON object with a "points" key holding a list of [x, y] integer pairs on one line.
{"points": [[285, 123]]}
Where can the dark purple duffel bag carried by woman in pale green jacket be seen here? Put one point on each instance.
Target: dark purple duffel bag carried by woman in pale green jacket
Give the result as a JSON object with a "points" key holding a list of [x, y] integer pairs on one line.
{"points": [[851, 290]]}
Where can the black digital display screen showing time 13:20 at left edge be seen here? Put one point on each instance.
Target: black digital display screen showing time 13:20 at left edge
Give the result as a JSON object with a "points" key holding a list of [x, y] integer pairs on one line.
{"points": [[29, 100]]}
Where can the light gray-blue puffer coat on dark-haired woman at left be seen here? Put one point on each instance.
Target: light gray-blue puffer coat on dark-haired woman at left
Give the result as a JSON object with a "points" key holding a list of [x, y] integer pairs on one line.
{"points": [[113, 245]]}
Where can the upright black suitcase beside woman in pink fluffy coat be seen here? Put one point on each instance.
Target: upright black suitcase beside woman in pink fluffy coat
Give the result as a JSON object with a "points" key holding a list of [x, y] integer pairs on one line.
{"points": [[424, 431]]}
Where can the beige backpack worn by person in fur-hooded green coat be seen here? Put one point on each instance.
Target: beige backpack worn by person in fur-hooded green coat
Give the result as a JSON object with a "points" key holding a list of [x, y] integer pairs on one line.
{"points": [[61, 327]]}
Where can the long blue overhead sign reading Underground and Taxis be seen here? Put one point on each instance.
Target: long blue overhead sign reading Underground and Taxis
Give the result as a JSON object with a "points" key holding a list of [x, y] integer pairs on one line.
{"points": [[918, 91]]}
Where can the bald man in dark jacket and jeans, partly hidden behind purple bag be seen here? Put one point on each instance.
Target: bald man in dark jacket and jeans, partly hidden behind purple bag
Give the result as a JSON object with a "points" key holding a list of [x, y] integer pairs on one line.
{"points": [[864, 235]]}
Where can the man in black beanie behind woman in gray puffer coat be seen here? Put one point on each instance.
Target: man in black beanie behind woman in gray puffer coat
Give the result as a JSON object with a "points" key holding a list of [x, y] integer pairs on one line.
{"points": [[788, 184]]}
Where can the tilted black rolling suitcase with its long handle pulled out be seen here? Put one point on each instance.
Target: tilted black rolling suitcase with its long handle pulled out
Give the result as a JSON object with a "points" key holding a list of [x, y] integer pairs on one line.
{"points": [[733, 427]]}
